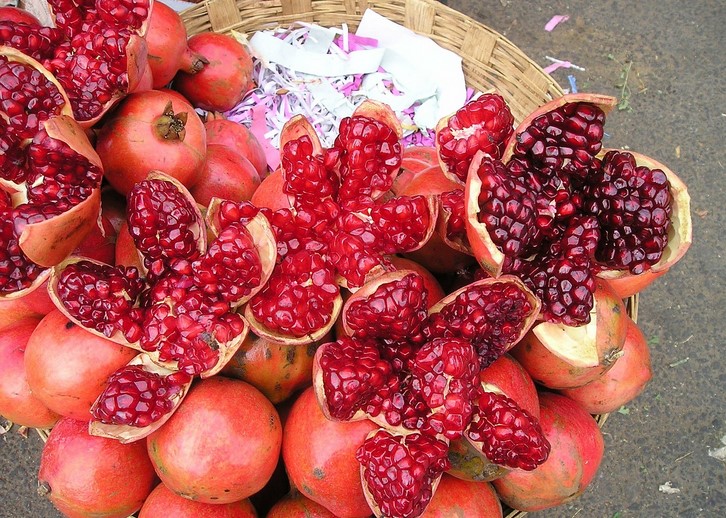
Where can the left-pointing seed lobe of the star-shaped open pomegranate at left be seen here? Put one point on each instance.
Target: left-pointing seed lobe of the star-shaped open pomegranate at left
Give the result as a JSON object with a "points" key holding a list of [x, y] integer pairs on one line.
{"points": [[104, 298]]}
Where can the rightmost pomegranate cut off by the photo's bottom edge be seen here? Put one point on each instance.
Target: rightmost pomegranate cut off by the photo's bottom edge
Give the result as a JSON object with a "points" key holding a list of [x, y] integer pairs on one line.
{"points": [[456, 497]]}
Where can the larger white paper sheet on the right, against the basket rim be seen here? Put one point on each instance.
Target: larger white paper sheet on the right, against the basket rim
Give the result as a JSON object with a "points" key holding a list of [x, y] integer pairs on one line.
{"points": [[435, 68]]}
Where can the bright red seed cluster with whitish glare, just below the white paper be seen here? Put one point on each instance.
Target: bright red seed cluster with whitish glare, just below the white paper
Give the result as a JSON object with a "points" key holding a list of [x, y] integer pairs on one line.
{"points": [[483, 124]]}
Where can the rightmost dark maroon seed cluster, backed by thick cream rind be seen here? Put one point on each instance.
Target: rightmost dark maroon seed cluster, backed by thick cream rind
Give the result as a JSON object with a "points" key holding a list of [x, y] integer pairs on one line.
{"points": [[633, 205]]}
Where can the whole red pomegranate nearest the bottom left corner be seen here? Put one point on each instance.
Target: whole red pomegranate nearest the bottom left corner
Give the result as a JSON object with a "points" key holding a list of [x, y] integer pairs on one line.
{"points": [[85, 476]]}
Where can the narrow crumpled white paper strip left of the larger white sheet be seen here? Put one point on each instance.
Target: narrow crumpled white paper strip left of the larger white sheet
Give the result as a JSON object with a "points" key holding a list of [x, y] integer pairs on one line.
{"points": [[272, 49]]}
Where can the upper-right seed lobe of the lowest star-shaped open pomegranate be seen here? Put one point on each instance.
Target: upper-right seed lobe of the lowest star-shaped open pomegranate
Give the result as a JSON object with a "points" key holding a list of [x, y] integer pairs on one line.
{"points": [[490, 315]]}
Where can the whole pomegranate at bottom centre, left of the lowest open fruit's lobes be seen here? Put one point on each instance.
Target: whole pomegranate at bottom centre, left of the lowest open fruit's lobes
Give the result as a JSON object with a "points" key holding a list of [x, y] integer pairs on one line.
{"points": [[319, 455]]}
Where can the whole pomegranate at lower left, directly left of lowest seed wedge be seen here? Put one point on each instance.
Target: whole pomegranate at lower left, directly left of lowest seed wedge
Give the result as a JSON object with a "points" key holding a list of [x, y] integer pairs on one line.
{"points": [[67, 367]]}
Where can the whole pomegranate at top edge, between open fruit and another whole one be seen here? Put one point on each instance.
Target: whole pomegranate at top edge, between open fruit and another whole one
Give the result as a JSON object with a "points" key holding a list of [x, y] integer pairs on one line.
{"points": [[166, 41]]}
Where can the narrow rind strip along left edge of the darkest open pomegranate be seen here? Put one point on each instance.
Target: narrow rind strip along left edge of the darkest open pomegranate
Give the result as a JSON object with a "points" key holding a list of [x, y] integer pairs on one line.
{"points": [[487, 254]]}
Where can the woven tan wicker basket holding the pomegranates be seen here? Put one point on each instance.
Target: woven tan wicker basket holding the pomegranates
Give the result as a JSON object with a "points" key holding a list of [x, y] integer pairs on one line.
{"points": [[490, 61]]}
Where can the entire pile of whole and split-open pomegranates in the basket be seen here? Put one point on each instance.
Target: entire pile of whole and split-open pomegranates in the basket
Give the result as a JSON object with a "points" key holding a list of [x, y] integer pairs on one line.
{"points": [[368, 330]]}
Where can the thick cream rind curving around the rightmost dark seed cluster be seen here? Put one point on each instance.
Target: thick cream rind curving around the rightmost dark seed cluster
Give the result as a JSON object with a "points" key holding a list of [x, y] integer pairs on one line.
{"points": [[680, 229]]}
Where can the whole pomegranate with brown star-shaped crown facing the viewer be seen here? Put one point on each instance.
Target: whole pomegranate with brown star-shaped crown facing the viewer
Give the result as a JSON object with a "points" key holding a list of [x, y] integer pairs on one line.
{"points": [[151, 131]]}
